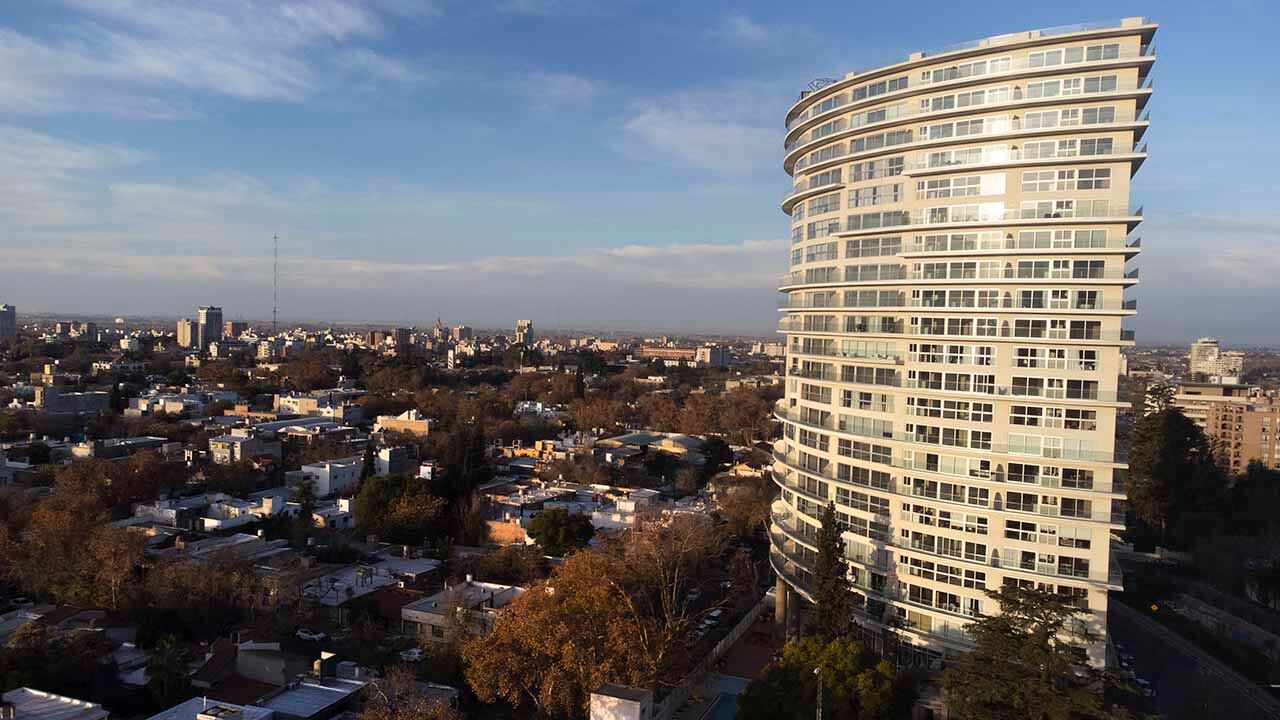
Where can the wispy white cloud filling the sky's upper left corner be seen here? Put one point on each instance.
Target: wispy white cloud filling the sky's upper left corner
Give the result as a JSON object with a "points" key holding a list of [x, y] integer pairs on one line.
{"points": [[136, 58]]}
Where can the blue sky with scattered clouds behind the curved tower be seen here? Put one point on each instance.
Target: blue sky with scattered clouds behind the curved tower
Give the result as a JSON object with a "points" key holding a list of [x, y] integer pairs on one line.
{"points": [[596, 165]]}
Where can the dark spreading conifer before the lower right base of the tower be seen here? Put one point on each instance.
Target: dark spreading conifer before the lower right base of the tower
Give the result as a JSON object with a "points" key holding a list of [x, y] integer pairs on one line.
{"points": [[1028, 664]]}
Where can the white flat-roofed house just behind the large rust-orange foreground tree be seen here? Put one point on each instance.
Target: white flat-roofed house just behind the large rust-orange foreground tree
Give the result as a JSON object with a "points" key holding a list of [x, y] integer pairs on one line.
{"points": [[473, 604]]}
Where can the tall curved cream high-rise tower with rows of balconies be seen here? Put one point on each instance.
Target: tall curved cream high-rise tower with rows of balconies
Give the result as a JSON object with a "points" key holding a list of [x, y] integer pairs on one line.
{"points": [[961, 229]]}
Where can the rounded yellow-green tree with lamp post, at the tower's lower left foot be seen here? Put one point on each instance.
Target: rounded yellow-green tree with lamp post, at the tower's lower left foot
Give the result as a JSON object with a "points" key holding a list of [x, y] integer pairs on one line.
{"points": [[856, 685]]}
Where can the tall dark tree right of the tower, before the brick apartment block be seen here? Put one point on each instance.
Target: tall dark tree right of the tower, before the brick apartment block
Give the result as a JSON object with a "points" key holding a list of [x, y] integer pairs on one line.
{"points": [[1172, 473]]}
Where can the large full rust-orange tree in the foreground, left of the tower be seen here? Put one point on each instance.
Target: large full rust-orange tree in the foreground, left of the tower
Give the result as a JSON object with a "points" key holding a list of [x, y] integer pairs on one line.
{"points": [[561, 640]]}
